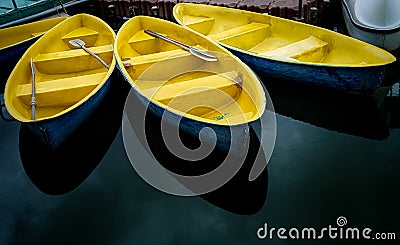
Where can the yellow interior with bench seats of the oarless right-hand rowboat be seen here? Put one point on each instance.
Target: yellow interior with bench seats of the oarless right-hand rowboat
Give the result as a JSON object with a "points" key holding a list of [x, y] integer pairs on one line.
{"points": [[278, 38]]}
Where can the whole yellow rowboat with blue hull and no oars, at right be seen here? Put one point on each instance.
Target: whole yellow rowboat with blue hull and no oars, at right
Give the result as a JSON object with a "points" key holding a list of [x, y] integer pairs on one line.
{"points": [[290, 50]]}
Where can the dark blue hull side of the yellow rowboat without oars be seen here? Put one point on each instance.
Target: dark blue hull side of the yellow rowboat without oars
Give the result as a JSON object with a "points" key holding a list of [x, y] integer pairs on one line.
{"points": [[344, 79]]}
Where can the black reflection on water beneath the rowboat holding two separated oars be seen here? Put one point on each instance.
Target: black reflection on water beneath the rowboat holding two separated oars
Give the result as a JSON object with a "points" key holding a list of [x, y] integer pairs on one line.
{"points": [[56, 172]]}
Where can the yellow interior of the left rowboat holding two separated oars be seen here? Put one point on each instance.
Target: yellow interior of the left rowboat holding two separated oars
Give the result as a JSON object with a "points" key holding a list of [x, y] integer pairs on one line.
{"points": [[65, 76]]}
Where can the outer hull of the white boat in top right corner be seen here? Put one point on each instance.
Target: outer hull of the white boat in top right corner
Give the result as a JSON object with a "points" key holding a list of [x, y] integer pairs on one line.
{"points": [[388, 39]]}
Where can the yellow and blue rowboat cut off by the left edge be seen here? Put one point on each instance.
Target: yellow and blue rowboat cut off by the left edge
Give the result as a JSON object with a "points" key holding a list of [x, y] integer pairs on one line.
{"points": [[14, 41]]}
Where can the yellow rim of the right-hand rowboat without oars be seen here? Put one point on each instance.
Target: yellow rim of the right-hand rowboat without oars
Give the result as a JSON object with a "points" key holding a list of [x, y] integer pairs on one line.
{"points": [[316, 64]]}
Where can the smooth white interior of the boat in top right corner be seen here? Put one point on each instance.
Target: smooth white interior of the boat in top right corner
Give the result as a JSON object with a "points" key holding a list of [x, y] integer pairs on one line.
{"points": [[377, 15]]}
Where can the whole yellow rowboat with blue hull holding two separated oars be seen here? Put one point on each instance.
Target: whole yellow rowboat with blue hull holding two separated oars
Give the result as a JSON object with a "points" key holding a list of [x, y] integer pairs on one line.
{"points": [[68, 82]]}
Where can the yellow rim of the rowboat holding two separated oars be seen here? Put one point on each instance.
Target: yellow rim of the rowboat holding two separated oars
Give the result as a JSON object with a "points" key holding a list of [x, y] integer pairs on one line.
{"points": [[106, 78]]}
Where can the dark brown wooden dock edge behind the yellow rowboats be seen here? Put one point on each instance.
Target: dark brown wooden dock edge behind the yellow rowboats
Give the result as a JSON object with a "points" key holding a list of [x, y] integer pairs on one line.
{"points": [[311, 11]]}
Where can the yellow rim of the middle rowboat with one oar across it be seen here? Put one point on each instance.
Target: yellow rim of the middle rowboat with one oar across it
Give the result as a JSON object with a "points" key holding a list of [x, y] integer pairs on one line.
{"points": [[128, 78]]}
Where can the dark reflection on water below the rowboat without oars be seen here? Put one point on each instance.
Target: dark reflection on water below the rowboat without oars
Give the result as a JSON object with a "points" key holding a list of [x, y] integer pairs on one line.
{"points": [[351, 114]]}
